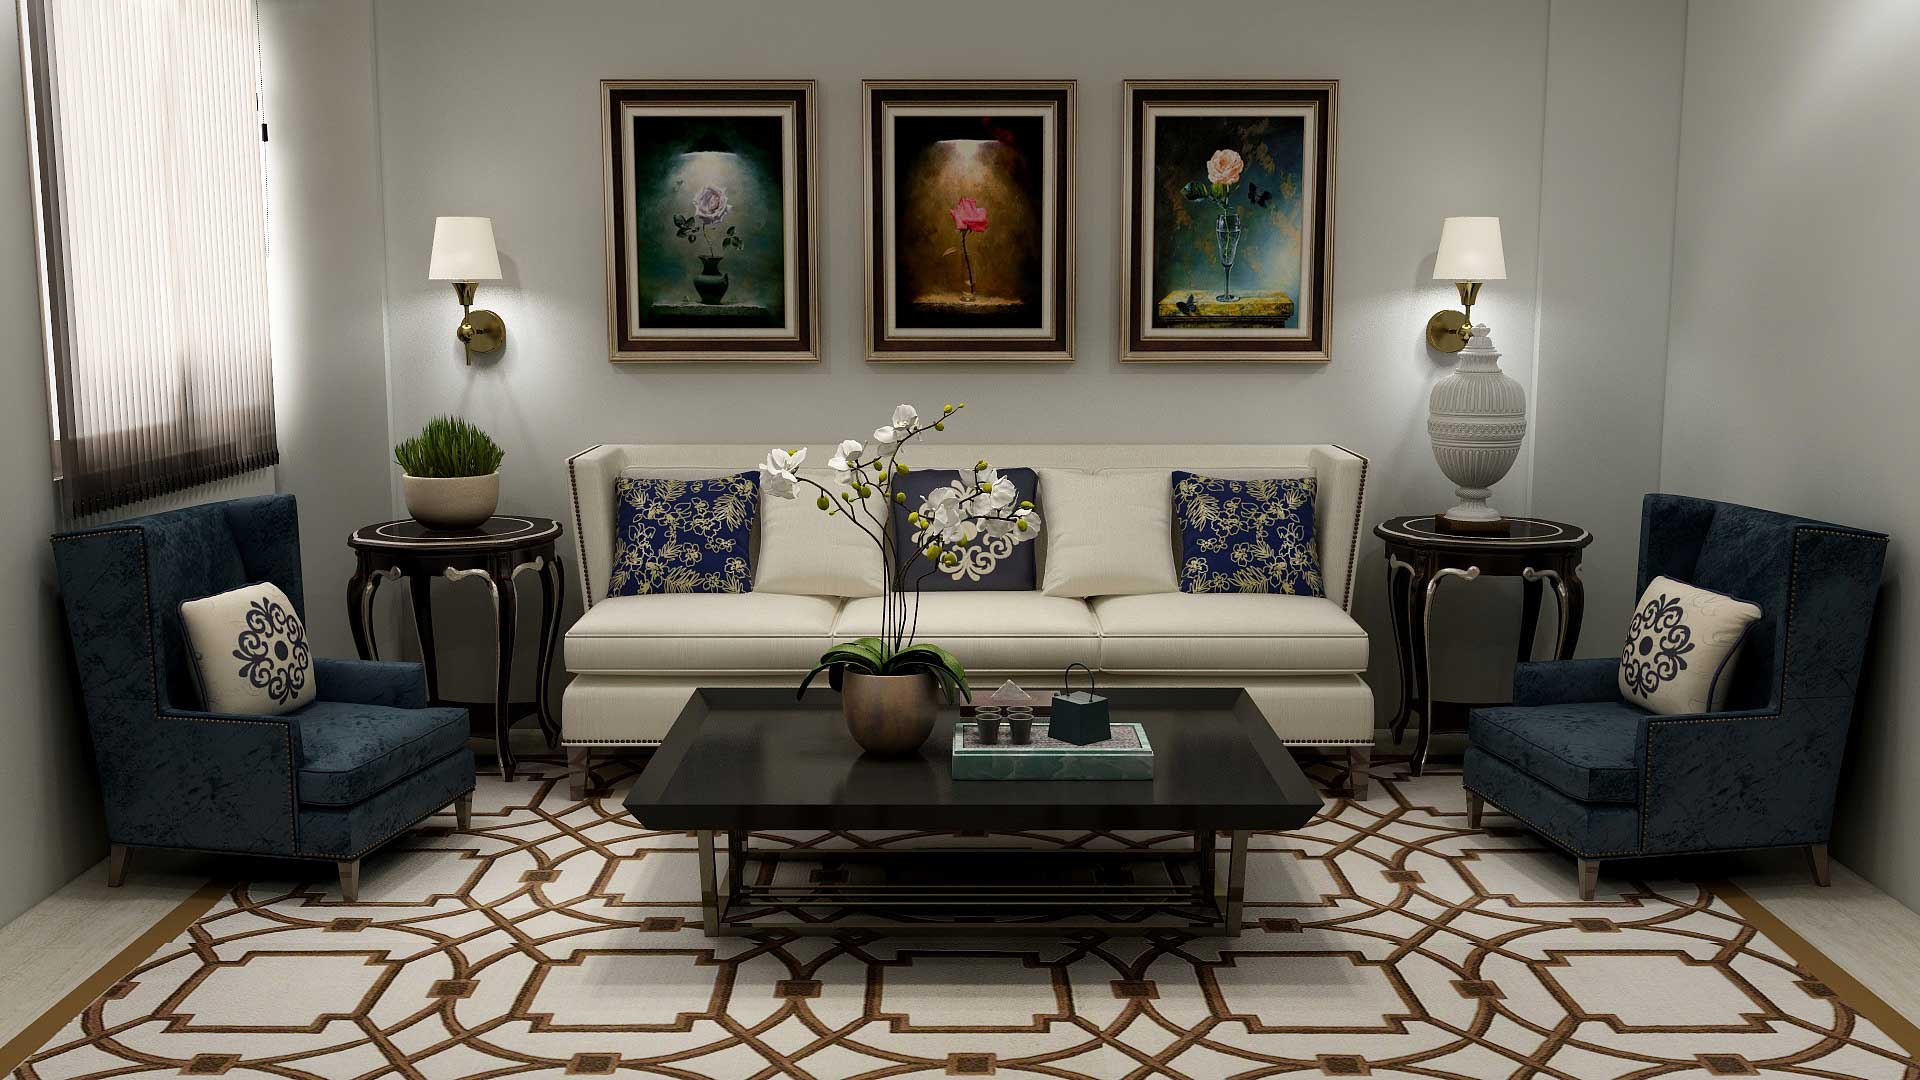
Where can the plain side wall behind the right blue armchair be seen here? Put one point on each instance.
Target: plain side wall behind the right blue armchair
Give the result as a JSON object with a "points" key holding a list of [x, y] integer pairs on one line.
{"points": [[1792, 376]]}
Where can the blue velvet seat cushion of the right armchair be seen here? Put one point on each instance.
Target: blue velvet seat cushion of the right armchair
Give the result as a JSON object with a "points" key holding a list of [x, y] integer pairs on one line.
{"points": [[1583, 750]]}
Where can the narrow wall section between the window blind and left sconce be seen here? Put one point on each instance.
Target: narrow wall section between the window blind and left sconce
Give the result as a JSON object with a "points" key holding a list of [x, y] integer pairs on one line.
{"points": [[327, 283]]}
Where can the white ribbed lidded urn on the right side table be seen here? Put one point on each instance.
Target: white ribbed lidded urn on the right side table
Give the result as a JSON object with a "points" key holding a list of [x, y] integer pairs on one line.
{"points": [[1477, 420]]}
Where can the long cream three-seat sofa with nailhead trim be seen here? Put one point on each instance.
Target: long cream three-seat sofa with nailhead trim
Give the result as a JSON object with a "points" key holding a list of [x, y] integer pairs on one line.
{"points": [[635, 660]]}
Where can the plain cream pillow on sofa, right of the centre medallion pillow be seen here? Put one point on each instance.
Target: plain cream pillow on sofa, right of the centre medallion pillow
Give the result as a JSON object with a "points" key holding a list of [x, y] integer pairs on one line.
{"points": [[1107, 533]]}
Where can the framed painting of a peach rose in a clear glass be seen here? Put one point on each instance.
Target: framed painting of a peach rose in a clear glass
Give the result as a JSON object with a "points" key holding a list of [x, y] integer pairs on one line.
{"points": [[1228, 220]]}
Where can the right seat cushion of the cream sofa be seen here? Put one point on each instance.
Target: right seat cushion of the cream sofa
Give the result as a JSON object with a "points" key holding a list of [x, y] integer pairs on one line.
{"points": [[1228, 633]]}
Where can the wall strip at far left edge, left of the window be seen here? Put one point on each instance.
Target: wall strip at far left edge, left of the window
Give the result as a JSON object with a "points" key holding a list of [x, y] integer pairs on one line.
{"points": [[47, 791]]}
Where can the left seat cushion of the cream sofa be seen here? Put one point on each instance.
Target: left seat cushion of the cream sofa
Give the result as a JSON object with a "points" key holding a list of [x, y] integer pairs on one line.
{"points": [[667, 633]]}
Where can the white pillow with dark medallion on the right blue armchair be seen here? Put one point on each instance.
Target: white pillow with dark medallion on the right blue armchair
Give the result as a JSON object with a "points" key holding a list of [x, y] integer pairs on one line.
{"points": [[1681, 649]]}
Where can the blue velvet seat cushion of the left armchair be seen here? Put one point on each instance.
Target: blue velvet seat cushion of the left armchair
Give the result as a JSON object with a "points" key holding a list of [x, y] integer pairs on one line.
{"points": [[350, 752]]}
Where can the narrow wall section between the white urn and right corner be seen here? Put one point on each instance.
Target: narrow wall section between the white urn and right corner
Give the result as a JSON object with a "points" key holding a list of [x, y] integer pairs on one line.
{"points": [[1606, 207]]}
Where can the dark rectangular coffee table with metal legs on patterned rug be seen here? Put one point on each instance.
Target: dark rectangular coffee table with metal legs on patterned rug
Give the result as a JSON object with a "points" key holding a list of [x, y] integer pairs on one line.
{"points": [[742, 762]]}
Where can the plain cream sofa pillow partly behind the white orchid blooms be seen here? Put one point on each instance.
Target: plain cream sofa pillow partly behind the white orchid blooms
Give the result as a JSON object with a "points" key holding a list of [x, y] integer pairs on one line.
{"points": [[807, 552]]}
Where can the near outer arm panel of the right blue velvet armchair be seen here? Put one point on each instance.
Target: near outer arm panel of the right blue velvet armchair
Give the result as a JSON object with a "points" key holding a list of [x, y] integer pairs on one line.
{"points": [[1750, 779]]}
